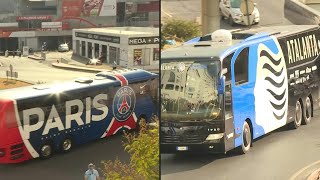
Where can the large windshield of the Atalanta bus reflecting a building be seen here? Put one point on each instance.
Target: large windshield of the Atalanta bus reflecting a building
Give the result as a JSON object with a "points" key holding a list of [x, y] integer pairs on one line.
{"points": [[189, 91]]}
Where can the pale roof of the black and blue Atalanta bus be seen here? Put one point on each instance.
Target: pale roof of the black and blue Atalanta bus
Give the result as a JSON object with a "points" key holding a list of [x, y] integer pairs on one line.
{"points": [[205, 48]]}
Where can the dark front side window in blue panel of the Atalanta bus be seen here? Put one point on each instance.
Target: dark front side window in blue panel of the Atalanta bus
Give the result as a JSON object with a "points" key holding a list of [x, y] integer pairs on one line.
{"points": [[241, 67]]}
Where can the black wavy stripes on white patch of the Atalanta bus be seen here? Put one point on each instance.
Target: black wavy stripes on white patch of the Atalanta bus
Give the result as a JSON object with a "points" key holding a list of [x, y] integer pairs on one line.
{"points": [[278, 97]]}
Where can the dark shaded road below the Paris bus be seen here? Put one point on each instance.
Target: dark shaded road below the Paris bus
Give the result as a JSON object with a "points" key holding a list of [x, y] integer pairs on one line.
{"points": [[69, 166]]}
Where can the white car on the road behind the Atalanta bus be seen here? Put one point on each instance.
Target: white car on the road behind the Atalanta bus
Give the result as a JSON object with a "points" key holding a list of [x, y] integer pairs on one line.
{"points": [[230, 9]]}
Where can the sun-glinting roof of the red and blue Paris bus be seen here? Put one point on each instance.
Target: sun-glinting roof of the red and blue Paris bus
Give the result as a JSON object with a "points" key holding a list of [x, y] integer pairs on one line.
{"points": [[101, 80]]}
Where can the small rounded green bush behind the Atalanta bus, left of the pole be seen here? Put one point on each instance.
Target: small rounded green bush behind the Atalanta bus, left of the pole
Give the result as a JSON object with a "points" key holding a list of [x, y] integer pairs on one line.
{"points": [[181, 29]]}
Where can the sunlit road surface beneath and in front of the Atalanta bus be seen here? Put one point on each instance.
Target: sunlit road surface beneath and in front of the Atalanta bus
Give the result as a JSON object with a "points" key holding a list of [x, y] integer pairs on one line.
{"points": [[276, 156]]}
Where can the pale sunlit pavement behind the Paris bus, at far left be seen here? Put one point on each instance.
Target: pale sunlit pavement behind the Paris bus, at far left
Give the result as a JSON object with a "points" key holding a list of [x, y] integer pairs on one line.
{"points": [[35, 71]]}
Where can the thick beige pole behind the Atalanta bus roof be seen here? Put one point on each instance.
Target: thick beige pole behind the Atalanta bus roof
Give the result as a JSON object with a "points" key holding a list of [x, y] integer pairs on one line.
{"points": [[210, 16]]}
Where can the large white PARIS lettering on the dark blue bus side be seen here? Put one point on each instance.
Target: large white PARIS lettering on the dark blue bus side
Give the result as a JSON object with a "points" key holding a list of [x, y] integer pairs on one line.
{"points": [[54, 119]]}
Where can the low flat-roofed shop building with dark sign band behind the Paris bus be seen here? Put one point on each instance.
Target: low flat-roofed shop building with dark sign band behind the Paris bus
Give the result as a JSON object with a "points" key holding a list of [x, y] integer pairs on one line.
{"points": [[127, 46]]}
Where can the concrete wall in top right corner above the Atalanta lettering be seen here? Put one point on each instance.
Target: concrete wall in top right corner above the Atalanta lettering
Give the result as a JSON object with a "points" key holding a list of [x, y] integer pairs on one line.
{"points": [[299, 13]]}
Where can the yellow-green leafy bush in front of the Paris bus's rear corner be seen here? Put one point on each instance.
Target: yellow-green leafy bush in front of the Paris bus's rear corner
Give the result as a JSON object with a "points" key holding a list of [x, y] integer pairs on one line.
{"points": [[144, 151]]}
